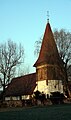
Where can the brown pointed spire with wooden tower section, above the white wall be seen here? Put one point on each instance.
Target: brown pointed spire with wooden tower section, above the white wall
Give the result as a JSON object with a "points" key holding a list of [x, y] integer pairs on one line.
{"points": [[49, 65]]}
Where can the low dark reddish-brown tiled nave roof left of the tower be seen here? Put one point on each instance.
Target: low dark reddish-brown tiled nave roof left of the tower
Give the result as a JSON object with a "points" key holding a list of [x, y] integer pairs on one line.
{"points": [[23, 85]]}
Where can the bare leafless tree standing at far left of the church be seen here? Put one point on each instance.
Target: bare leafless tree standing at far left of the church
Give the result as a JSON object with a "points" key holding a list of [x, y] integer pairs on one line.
{"points": [[11, 55]]}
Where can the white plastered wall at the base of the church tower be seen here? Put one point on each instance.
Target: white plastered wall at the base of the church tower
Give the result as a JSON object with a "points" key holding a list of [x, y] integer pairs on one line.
{"points": [[53, 85]]}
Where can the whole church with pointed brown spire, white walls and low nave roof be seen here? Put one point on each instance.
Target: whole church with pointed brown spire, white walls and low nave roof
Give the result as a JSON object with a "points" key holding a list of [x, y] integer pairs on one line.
{"points": [[49, 75]]}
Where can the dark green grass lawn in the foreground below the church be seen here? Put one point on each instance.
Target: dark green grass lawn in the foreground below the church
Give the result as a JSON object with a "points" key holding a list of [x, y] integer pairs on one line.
{"points": [[53, 112]]}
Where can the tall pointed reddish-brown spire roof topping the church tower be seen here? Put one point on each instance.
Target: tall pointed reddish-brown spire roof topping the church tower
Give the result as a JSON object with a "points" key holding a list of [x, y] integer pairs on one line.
{"points": [[48, 52]]}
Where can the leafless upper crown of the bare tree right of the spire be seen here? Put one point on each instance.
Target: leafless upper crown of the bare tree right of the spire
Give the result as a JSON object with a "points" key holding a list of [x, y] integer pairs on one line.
{"points": [[63, 41]]}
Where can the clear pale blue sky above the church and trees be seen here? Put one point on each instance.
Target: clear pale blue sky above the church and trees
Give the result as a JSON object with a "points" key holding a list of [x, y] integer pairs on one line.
{"points": [[24, 21]]}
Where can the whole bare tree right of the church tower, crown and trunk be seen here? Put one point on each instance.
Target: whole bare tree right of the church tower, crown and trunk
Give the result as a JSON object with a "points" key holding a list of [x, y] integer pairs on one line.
{"points": [[63, 41]]}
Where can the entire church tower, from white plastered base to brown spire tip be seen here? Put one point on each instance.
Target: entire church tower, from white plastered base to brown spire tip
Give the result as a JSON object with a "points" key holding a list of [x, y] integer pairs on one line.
{"points": [[49, 66]]}
